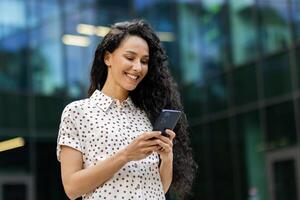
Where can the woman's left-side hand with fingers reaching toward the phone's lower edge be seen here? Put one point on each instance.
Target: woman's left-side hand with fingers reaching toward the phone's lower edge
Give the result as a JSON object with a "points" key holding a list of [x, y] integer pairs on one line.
{"points": [[142, 146]]}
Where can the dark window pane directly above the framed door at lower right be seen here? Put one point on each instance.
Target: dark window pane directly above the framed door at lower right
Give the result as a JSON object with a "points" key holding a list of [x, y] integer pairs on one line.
{"points": [[280, 125]]}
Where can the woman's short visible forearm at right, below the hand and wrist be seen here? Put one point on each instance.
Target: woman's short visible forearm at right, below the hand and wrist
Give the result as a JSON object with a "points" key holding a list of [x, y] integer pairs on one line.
{"points": [[166, 173]]}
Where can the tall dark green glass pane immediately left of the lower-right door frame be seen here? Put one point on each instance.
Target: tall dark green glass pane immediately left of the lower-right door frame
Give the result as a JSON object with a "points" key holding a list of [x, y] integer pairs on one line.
{"points": [[250, 136]]}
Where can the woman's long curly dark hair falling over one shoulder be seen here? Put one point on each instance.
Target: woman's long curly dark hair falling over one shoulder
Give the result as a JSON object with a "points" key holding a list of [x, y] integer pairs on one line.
{"points": [[155, 92]]}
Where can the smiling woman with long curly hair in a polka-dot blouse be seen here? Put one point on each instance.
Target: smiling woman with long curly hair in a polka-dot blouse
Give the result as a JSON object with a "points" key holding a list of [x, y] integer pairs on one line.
{"points": [[106, 145]]}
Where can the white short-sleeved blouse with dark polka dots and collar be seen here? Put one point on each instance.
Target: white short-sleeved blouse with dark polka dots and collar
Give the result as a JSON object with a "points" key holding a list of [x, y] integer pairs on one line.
{"points": [[98, 127]]}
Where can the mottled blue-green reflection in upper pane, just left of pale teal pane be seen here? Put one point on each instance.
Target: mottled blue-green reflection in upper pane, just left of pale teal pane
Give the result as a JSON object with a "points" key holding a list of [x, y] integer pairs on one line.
{"points": [[214, 36]]}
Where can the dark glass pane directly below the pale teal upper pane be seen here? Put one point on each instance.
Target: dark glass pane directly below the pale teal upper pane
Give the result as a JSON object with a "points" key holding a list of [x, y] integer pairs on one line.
{"points": [[245, 84]]}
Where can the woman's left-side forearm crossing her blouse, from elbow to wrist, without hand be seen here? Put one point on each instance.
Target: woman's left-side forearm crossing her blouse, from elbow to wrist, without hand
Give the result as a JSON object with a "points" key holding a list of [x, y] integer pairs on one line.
{"points": [[88, 179]]}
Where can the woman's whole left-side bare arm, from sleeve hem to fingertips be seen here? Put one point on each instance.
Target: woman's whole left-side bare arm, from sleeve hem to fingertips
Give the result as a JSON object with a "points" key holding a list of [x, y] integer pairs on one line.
{"points": [[78, 181]]}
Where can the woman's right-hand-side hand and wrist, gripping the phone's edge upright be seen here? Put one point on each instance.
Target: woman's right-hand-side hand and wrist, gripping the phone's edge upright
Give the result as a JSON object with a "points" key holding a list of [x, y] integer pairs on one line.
{"points": [[166, 143]]}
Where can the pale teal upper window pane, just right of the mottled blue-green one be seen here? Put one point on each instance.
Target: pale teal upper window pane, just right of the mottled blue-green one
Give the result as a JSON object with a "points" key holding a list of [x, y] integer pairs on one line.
{"points": [[243, 31]]}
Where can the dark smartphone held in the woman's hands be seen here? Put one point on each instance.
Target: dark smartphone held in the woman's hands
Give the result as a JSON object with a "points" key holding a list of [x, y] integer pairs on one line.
{"points": [[166, 120]]}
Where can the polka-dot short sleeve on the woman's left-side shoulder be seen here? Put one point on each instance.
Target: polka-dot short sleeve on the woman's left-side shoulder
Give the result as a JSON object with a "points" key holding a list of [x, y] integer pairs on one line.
{"points": [[68, 133]]}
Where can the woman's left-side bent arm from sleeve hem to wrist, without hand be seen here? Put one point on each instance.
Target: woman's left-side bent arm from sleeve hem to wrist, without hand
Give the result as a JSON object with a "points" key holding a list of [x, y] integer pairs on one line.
{"points": [[78, 181]]}
